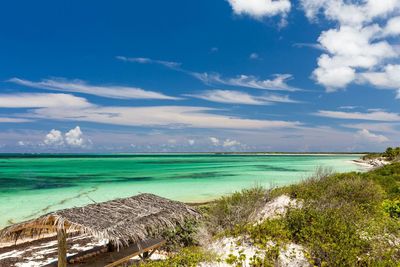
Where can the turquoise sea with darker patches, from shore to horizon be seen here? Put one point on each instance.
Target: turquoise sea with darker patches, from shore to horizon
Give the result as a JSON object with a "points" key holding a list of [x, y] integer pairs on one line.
{"points": [[34, 185]]}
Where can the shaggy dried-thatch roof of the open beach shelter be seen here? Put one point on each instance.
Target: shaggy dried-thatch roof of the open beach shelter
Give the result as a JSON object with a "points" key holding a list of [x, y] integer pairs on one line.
{"points": [[120, 221]]}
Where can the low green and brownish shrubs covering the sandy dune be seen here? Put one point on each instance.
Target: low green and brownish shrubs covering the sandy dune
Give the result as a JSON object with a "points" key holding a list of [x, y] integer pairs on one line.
{"points": [[349, 219]]}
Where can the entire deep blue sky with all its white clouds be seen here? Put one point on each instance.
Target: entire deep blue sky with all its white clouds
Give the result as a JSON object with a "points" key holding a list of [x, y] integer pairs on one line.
{"points": [[199, 76]]}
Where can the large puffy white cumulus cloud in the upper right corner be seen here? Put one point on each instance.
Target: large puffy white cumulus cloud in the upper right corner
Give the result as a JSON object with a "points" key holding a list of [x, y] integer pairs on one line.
{"points": [[359, 45]]}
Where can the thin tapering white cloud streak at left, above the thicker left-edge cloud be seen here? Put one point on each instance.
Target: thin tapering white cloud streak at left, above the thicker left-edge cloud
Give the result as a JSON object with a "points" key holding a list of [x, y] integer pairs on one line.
{"points": [[78, 86]]}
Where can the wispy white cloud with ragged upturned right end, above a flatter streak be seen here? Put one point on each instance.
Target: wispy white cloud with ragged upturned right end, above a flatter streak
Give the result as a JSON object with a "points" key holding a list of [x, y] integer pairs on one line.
{"points": [[278, 83]]}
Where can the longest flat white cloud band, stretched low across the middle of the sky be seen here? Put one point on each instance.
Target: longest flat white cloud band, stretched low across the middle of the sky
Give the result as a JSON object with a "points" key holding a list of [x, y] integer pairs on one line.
{"points": [[157, 116]]}
